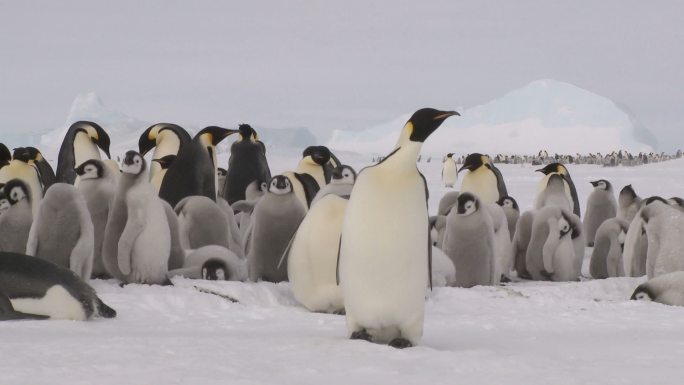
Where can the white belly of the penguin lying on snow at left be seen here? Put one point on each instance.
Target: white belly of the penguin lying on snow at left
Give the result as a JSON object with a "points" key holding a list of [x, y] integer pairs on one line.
{"points": [[57, 304]]}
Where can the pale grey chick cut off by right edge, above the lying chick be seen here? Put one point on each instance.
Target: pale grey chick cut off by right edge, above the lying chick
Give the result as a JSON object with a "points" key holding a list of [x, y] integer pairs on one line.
{"points": [[664, 226]]}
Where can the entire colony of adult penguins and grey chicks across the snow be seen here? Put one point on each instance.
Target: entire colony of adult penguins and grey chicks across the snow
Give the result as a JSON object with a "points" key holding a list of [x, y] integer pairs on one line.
{"points": [[322, 226]]}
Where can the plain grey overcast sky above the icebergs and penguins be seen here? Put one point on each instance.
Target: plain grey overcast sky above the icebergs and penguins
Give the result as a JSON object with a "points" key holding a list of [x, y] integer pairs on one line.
{"points": [[321, 64]]}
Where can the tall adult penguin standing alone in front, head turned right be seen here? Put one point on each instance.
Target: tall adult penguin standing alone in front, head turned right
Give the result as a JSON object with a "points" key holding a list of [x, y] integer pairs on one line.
{"points": [[385, 245]]}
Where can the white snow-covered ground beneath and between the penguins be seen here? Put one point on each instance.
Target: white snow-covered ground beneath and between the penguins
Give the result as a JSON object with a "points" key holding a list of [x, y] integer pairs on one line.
{"points": [[524, 333]]}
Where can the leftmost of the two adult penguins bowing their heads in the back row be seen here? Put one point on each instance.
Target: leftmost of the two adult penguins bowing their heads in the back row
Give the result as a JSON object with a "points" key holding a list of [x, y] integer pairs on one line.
{"points": [[80, 143]]}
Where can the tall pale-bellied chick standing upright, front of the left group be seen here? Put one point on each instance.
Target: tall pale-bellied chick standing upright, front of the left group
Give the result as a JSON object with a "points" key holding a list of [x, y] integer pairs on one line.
{"points": [[137, 241]]}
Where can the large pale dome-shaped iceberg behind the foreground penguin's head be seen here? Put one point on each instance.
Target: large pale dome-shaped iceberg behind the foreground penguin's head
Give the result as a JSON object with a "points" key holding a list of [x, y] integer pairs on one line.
{"points": [[543, 115]]}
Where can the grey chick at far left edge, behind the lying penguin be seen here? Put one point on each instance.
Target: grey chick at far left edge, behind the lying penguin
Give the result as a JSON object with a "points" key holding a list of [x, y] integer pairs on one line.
{"points": [[15, 223]]}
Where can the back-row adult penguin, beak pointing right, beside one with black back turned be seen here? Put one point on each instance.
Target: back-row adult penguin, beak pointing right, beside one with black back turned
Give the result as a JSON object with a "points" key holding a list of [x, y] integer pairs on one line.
{"points": [[194, 170]]}
